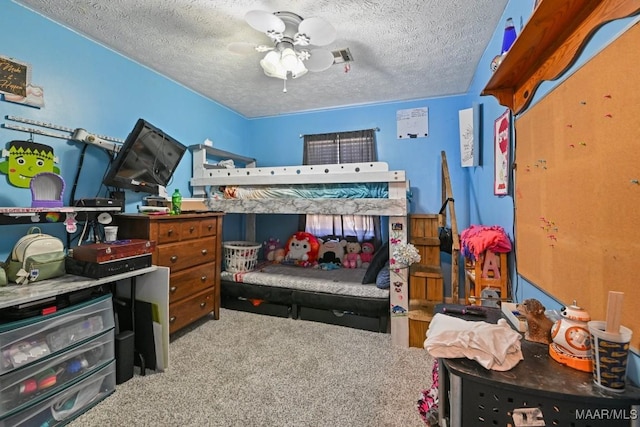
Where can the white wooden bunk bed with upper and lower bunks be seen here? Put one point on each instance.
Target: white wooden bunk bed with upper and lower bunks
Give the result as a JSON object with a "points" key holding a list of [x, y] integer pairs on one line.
{"points": [[300, 297]]}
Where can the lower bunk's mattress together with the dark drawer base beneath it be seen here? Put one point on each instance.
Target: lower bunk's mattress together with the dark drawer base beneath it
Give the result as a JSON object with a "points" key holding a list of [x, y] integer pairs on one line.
{"points": [[331, 296]]}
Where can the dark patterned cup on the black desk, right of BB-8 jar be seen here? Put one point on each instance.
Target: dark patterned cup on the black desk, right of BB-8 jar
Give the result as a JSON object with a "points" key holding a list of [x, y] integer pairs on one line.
{"points": [[609, 352]]}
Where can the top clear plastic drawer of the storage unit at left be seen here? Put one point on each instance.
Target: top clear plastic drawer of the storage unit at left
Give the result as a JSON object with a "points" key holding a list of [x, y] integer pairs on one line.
{"points": [[26, 341]]}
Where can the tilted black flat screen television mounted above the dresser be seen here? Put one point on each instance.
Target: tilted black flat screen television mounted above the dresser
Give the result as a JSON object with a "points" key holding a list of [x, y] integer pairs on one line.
{"points": [[146, 160]]}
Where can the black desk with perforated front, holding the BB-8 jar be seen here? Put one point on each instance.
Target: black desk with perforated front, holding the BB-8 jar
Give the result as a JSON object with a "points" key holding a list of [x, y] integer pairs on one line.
{"points": [[473, 395]]}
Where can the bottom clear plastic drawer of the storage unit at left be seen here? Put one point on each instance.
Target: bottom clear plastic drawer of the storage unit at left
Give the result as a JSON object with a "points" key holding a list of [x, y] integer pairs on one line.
{"points": [[62, 407]]}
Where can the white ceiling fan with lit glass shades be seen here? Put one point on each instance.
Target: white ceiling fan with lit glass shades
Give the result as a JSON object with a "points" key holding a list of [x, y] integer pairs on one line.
{"points": [[291, 54]]}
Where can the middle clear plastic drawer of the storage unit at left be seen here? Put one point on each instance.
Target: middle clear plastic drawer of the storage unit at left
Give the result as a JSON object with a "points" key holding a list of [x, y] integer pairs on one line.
{"points": [[22, 387]]}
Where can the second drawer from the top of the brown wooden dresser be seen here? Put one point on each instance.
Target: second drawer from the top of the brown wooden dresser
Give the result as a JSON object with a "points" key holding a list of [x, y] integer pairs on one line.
{"points": [[179, 256]]}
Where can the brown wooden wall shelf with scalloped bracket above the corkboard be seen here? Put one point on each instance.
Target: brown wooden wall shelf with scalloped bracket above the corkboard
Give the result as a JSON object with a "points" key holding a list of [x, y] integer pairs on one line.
{"points": [[549, 44]]}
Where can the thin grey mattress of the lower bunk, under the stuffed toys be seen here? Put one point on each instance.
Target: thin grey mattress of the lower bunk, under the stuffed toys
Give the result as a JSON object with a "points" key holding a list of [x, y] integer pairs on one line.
{"points": [[342, 281]]}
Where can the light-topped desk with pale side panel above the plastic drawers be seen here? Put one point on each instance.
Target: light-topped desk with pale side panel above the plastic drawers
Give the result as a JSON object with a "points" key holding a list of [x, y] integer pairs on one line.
{"points": [[152, 285]]}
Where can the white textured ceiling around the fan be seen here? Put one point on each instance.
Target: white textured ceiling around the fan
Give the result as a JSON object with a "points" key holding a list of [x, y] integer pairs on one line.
{"points": [[401, 49]]}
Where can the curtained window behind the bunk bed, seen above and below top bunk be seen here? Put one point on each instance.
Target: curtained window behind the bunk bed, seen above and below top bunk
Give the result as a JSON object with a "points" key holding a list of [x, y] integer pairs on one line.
{"points": [[341, 147]]}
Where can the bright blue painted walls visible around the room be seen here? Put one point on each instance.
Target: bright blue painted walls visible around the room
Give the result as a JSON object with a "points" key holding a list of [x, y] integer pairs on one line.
{"points": [[88, 86]]}
